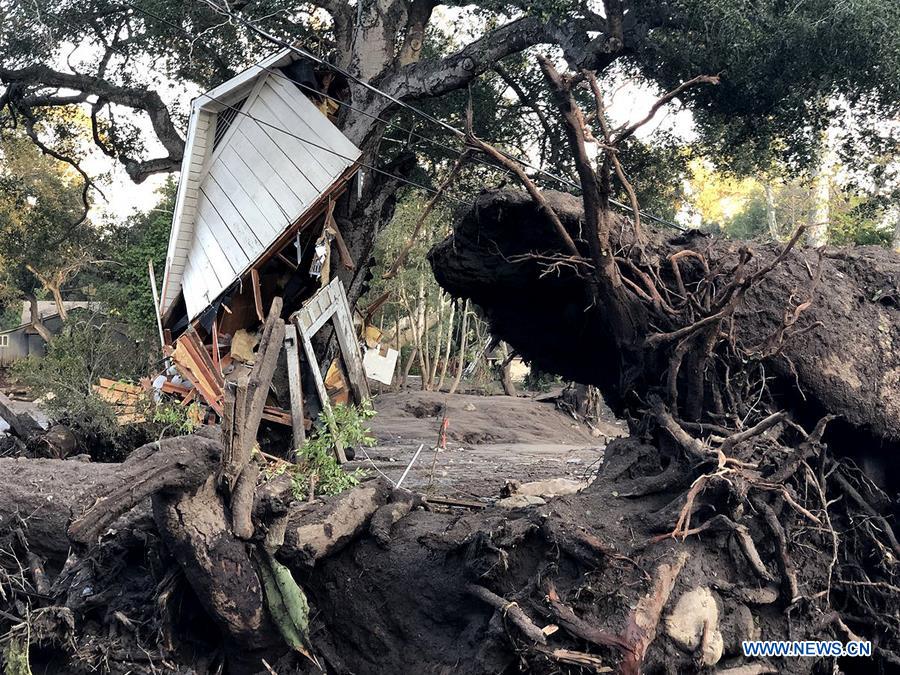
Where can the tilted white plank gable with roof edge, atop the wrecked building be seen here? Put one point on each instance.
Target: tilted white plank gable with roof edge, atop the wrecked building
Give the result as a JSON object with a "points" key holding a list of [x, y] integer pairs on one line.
{"points": [[246, 178]]}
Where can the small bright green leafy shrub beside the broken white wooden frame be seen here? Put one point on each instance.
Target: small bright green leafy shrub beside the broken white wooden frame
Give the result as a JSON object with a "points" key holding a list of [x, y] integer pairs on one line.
{"points": [[316, 462]]}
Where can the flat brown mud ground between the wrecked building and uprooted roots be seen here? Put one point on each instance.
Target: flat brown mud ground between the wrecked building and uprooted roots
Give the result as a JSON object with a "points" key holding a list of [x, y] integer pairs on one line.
{"points": [[490, 440]]}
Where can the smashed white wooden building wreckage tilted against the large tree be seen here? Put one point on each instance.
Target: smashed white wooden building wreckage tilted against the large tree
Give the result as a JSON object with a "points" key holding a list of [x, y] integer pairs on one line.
{"points": [[255, 218]]}
